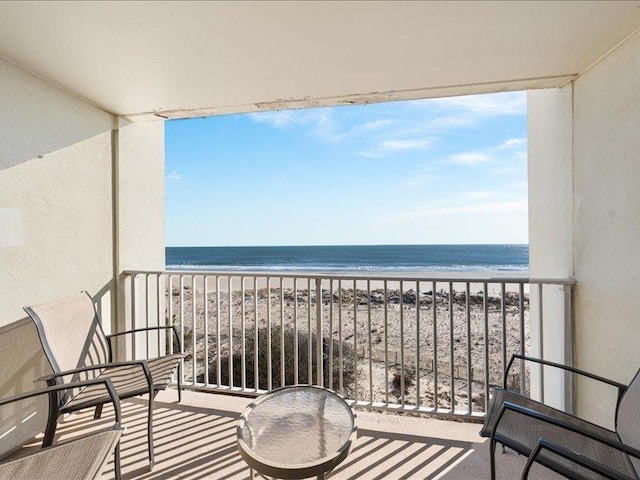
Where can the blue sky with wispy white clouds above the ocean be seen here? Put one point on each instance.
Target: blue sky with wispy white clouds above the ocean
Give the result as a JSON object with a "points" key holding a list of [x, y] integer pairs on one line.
{"points": [[437, 171]]}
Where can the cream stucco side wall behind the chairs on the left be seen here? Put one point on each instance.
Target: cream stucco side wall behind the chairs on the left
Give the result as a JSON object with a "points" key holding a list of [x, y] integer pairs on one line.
{"points": [[55, 222]]}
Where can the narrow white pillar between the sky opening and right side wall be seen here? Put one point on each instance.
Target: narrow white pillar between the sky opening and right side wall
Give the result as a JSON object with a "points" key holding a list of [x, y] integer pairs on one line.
{"points": [[550, 224]]}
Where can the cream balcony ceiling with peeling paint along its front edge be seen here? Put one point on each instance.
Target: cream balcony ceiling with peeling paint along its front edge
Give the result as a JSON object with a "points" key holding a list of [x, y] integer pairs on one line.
{"points": [[183, 59]]}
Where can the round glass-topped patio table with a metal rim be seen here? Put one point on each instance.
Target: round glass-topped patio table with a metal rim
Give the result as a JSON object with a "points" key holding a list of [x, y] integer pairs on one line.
{"points": [[296, 432]]}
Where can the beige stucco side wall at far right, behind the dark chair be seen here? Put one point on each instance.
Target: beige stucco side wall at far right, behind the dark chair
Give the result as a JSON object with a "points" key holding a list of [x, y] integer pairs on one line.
{"points": [[606, 170]]}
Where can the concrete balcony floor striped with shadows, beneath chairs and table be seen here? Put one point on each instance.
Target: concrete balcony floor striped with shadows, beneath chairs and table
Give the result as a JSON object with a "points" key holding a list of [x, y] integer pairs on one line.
{"points": [[196, 439]]}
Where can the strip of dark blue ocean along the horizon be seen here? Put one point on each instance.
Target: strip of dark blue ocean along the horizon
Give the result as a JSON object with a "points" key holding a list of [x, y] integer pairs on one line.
{"points": [[352, 258]]}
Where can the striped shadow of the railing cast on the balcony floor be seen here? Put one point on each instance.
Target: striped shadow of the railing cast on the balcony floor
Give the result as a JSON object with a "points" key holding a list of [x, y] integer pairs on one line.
{"points": [[198, 441]]}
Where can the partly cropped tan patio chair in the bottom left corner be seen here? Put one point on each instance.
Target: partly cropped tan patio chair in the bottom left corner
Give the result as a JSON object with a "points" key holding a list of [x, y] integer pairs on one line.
{"points": [[82, 458]]}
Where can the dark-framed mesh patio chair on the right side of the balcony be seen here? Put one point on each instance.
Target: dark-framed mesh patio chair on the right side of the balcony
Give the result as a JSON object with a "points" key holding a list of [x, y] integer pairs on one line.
{"points": [[564, 443]]}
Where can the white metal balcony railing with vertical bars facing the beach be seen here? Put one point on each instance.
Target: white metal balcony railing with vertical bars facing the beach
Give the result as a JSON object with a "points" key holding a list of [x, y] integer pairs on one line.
{"points": [[432, 345]]}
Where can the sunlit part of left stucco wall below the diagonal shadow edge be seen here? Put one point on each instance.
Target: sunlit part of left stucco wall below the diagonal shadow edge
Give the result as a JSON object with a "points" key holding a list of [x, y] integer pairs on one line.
{"points": [[63, 202]]}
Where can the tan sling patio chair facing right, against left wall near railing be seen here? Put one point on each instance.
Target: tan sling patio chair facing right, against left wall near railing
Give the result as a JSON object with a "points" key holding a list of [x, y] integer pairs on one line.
{"points": [[76, 346]]}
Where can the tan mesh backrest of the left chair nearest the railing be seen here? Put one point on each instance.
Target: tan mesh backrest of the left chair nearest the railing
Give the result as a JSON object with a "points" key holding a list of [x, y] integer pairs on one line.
{"points": [[70, 332]]}
